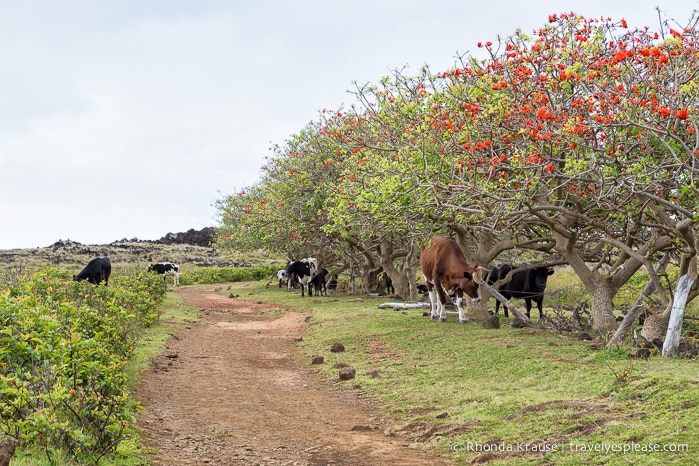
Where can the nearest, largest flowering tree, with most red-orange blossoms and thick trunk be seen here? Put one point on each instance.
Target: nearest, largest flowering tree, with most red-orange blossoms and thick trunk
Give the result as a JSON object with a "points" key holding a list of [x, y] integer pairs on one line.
{"points": [[589, 132]]}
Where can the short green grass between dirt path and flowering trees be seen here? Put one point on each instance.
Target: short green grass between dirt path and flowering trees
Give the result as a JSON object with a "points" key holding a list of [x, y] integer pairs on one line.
{"points": [[509, 396]]}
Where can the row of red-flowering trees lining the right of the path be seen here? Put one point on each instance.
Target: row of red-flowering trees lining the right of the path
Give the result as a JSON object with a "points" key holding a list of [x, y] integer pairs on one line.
{"points": [[579, 140]]}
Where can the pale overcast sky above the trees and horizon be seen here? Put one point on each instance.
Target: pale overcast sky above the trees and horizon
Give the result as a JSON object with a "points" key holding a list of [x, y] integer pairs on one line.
{"points": [[130, 118]]}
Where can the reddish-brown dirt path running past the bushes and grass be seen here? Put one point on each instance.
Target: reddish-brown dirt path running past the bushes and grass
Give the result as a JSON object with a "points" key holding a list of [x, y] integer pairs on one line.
{"points": [[228, 392]]}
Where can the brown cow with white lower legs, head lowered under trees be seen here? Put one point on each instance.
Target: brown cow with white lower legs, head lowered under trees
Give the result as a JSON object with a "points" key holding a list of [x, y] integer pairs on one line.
{"points": [[445, 269]]}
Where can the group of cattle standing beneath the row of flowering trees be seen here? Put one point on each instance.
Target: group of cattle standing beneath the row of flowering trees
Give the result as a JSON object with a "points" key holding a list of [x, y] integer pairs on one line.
{"points": [[447, 276]]}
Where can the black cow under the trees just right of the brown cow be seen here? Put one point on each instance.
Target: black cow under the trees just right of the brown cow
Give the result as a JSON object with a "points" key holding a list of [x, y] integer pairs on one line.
{"points": [[527, 284]]}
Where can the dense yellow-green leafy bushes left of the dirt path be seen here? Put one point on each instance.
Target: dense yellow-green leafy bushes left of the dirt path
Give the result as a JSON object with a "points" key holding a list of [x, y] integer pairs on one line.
{"points": [[64, 346]]}
